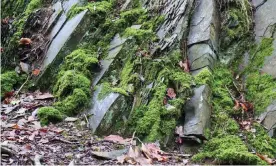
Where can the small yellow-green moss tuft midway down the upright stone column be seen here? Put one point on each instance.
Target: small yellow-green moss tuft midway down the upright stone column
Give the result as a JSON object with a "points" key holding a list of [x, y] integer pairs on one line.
{"points": [[204, 77]]}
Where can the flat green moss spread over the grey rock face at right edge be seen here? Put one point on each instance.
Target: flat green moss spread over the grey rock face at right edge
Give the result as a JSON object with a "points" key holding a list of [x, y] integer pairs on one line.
{"points": [[260, 86]]}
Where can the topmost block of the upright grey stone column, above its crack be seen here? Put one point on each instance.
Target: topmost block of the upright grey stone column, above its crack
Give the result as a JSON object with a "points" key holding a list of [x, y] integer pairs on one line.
{"points": [[205, 24]]}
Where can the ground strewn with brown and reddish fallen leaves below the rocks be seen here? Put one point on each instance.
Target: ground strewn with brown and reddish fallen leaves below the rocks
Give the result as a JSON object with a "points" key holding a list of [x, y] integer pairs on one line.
{"points": [[25, 142]]}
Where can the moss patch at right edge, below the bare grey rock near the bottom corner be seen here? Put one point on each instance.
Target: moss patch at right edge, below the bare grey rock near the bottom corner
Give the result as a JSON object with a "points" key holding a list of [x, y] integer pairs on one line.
{"points": [[261, 142]]}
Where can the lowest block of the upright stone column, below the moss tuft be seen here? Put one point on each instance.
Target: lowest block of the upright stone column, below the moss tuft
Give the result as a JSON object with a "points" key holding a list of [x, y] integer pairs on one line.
{"points": [[198, 113]]}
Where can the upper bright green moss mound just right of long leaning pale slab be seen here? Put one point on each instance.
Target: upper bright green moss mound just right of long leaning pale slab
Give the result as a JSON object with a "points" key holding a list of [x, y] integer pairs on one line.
{"points": [[81, 60]]}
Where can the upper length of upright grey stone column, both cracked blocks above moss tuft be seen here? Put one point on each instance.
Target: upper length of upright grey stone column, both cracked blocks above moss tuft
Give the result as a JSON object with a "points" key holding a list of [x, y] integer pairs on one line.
{"points": [[204, 29]]}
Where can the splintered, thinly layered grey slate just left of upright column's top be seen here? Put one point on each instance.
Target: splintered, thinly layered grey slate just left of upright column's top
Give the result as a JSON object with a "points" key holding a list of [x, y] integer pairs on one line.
{"points": [[176, 13]]}
